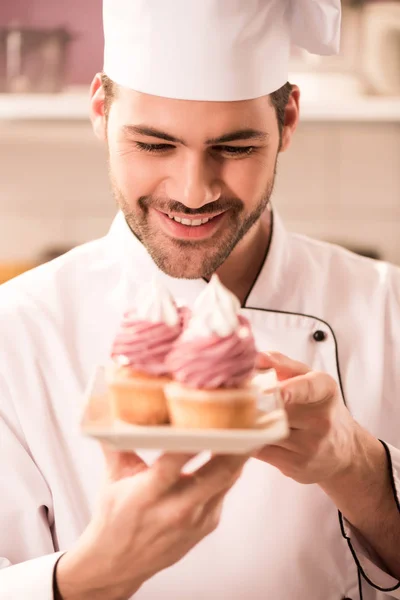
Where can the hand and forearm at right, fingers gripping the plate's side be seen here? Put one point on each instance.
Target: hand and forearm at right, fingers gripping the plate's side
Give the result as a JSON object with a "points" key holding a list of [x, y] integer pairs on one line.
{"points": [[328, 447]]}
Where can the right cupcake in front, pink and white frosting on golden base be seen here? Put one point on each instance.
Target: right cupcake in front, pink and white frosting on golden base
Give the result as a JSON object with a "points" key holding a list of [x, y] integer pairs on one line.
{"points": [[212, 364]]}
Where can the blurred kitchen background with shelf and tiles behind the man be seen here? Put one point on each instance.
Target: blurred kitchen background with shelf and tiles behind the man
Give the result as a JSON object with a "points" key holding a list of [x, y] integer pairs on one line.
{"points": [[339, 182]]}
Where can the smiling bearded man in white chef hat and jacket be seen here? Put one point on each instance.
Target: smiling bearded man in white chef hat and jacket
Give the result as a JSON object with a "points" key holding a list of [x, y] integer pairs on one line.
{"points": [[195, 109]]}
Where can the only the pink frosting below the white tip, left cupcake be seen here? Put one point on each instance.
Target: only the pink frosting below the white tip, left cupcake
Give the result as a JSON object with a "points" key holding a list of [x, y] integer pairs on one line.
{"points": [[144, 346]]}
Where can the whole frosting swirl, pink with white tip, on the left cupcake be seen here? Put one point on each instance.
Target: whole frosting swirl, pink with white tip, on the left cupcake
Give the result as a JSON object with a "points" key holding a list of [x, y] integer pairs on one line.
{"points": [[148, 332]]}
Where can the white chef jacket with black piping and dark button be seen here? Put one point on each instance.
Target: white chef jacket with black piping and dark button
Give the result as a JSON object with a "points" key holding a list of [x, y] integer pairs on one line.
{"points": [[277, 539]]}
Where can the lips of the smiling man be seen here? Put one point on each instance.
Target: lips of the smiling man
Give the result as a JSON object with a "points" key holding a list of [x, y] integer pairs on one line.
{"points": [[188, 232]]}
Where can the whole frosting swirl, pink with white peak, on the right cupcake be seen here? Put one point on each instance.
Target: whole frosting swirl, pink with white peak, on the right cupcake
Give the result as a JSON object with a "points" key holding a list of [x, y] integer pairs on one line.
{"points": [[217, 348]]}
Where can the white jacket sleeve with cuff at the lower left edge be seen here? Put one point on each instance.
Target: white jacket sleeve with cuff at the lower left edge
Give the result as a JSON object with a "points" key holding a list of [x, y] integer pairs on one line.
{"points": [[25, 509]]}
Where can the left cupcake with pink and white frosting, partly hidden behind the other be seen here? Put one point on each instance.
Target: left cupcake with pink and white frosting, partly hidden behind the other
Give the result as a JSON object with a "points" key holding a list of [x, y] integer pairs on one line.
{"points": [[139, 370]]}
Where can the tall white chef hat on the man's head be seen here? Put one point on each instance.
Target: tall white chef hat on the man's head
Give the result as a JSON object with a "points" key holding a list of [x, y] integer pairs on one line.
{"points": [[213, 49]]}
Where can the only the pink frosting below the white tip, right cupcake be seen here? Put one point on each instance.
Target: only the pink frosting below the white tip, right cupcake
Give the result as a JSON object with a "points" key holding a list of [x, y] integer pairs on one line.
{"points": [[214, 362]]}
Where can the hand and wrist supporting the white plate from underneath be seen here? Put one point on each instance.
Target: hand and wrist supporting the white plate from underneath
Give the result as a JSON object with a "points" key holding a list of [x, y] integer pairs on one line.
{"points": [[147, 520]]}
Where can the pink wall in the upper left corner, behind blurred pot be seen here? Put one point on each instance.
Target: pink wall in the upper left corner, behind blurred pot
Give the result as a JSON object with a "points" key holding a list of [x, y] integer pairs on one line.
{"points": [[82, 17]]}
